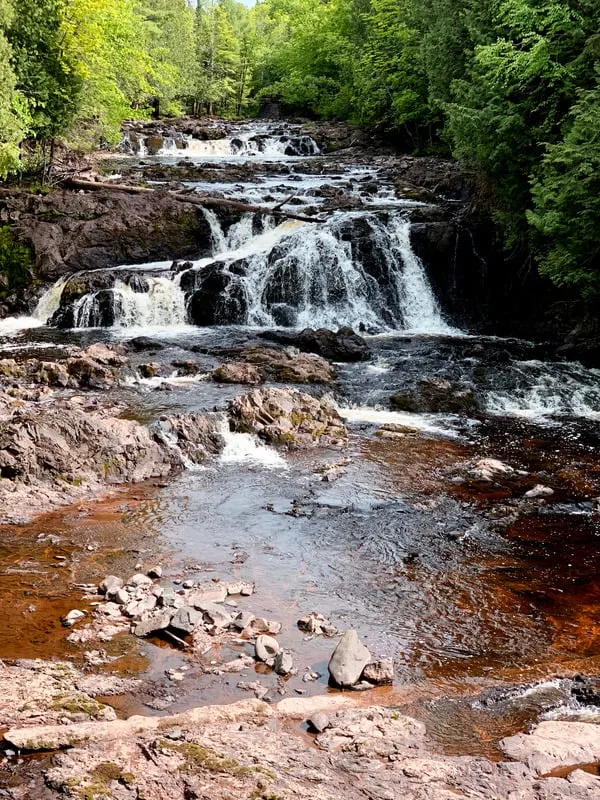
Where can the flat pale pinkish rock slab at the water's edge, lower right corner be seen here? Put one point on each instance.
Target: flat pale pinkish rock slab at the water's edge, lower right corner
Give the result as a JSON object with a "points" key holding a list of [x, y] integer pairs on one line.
{"points": [[555, 744]]}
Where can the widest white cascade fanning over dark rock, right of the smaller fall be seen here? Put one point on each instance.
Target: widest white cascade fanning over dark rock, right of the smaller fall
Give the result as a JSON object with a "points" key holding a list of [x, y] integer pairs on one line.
{"points": [[358, 269]]}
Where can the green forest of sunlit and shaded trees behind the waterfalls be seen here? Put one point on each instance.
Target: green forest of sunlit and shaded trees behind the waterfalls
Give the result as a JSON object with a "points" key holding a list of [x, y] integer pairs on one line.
{"points": [[509, 87]]}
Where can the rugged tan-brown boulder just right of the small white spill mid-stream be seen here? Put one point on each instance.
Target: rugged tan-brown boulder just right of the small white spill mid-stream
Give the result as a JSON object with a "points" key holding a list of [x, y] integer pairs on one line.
{"points": [[288, 417]]}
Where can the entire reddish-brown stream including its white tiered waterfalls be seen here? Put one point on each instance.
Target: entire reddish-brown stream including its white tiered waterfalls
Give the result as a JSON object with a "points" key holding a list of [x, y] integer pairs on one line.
{"points": [[484, 599]]}
